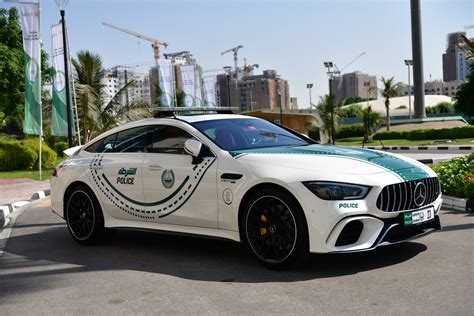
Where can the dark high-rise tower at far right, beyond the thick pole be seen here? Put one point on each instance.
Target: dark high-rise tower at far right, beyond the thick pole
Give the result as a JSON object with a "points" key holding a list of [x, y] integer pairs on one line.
{"points": [[455, 65]]}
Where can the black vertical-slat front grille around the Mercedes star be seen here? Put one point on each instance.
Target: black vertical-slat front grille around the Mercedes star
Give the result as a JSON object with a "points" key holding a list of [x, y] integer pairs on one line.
{"points": [[401, 196]]}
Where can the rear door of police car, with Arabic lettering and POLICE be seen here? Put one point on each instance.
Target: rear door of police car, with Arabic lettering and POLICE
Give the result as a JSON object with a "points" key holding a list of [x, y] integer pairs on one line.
{"points": [[117, 173]]}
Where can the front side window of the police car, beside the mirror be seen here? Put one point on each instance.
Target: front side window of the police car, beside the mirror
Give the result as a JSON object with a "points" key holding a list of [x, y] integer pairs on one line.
{"points": [[167, 139]]}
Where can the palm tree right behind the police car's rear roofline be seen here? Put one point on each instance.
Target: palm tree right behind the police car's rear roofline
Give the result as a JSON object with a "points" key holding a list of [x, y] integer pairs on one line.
{"points": [[97, 114]]}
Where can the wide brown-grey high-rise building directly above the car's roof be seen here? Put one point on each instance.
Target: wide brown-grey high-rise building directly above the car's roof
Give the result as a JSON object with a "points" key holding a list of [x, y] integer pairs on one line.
{"points": [[253, 92]]}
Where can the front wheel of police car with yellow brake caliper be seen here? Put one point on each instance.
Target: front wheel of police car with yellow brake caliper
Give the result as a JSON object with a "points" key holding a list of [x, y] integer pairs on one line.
{"points": [[275, 229]]}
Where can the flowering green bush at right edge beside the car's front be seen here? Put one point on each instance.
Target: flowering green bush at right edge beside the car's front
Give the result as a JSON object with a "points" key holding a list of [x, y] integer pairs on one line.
{"points": [[457, 177]]}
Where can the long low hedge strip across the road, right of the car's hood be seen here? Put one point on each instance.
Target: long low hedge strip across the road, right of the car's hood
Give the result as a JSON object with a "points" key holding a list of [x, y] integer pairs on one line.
{"points": [[423, 134]]}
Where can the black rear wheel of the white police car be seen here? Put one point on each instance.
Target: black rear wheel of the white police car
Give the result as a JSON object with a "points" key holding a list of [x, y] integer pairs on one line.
{"points": [[84, 216]]}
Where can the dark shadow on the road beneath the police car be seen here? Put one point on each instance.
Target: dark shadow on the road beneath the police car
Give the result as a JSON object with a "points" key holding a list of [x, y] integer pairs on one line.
{"points": [[176, 255]]}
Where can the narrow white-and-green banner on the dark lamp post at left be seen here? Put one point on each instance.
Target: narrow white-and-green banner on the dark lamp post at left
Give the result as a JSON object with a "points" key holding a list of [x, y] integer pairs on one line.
{"points": [[59, 108]]}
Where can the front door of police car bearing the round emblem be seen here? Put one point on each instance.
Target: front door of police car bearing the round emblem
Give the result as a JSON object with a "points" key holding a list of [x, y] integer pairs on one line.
{"points": [[176, 190]]}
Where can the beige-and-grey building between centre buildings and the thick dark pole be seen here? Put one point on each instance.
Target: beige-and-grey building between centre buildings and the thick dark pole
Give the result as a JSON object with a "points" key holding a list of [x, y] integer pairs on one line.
{"points": [[354, 84]]}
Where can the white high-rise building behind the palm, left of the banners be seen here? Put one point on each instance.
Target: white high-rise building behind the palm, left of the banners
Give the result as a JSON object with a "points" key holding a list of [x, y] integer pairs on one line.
{"points": [[117, 77]]}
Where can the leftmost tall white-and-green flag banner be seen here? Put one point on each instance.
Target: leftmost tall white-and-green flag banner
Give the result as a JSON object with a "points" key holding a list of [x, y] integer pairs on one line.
{"points": [[30, 24]]}
